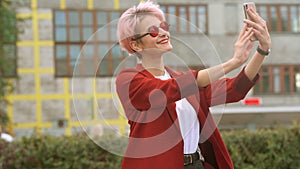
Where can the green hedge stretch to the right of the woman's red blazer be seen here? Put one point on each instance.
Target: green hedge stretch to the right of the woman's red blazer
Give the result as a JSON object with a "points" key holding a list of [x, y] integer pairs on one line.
{"points": [[277, 148]]}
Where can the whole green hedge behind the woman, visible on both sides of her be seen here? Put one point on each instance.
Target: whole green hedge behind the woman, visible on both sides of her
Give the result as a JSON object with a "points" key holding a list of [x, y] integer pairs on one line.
{"points": [[276, 148]]}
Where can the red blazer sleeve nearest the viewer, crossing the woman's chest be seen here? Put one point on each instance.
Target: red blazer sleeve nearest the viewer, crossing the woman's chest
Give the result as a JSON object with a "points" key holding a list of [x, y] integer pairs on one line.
{"points": [[143, 91]]}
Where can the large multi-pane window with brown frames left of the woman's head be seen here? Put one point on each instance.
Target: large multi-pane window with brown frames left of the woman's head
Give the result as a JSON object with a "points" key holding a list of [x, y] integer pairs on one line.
{"points": [[85, 44]]}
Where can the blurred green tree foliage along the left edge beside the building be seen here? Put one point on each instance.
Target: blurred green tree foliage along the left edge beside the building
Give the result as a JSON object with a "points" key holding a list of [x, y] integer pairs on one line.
{"points": [[8, 38]]}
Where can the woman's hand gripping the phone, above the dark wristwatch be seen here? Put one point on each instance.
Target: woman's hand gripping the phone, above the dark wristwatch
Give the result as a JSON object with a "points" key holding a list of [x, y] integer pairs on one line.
{"points": [[260, 29]]}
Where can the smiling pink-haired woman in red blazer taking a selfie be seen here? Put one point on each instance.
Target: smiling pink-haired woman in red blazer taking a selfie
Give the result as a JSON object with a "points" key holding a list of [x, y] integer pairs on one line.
{"points": [[168, 111]]}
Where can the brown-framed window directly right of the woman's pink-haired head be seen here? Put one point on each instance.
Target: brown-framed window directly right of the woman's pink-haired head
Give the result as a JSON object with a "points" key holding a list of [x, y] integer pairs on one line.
{"points": [[187, 18]]}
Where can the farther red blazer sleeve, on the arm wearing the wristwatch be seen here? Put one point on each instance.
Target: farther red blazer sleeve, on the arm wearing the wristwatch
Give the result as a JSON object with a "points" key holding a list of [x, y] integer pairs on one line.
{"points": [[229, 90]]}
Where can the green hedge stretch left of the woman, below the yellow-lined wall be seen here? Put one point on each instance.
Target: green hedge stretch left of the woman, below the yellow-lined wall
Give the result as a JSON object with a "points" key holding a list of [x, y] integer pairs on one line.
{"points": [[49, 152]]}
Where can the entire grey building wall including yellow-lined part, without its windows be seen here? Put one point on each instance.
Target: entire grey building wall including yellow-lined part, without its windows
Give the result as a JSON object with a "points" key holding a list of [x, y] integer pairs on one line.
{"points": [[42, 103]]}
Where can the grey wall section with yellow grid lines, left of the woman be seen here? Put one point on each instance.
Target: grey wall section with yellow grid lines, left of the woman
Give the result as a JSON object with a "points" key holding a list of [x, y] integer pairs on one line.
{"points": [[42, 103]]}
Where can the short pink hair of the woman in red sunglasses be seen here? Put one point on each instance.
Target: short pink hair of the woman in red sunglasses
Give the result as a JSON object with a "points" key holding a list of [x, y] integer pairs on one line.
{"points": [[131, 18]]}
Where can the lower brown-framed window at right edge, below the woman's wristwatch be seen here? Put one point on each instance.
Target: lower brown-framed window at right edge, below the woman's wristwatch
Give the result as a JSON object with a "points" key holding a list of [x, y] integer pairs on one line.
{"points": [[277, 79]]}
